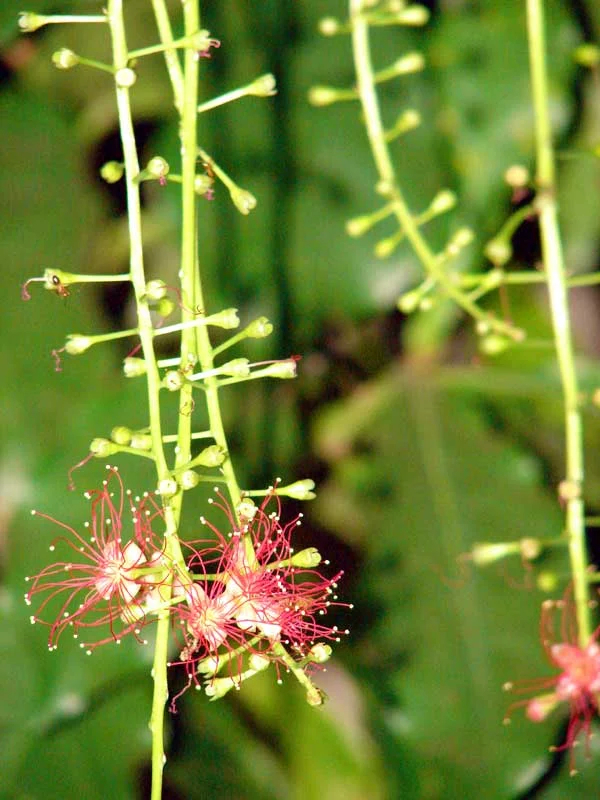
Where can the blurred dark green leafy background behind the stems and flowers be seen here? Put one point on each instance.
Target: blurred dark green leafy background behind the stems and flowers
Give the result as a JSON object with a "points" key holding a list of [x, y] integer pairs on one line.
{"points": [[422, 447]]}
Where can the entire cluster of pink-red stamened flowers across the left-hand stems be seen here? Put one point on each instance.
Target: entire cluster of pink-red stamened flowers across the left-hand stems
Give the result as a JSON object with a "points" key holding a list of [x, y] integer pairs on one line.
{"points": [[238, 601]]}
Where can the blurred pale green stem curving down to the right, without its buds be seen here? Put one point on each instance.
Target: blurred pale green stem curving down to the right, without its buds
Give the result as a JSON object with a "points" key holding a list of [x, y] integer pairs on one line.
{"points": [[387, 177]]}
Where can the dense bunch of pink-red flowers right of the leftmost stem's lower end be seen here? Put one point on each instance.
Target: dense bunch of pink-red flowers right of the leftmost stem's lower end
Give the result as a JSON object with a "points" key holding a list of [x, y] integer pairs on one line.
{"points": [[253, 597]]}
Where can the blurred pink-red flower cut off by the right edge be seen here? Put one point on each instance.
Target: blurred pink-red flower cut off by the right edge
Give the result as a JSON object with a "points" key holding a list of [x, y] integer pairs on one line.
{"points": [[577, 683]]}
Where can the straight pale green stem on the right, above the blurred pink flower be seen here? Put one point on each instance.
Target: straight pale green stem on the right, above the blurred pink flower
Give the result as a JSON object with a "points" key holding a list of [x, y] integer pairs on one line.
{"points": [[559, 306]]}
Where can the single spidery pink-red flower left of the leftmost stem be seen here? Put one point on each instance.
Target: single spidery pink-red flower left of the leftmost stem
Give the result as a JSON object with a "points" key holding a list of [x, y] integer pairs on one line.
{"points": [[108, 579]]}
